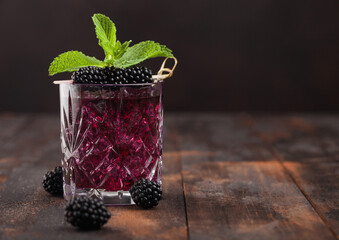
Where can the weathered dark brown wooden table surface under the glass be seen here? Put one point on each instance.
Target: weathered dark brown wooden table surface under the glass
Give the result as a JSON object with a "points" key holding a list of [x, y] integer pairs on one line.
{"points": [[225, 176]]}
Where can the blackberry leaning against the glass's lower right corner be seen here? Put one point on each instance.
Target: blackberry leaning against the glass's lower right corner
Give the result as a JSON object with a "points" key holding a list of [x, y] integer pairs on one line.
{"points": [[146, 193]]}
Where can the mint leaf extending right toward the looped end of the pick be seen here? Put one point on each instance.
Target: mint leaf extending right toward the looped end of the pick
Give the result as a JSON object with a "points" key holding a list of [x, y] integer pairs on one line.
{"points": [[140, 52]]}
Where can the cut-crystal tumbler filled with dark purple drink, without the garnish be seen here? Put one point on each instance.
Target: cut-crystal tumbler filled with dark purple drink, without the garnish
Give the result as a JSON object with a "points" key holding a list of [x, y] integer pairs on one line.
{"points": [[111, 137]]}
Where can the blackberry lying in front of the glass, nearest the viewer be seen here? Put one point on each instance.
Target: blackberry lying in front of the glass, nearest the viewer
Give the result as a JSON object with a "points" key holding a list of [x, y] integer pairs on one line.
{"points": [[86, 213]]}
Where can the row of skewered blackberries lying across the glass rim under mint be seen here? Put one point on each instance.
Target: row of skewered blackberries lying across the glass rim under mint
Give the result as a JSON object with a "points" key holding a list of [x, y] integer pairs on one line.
{"points": [[110, 75]]}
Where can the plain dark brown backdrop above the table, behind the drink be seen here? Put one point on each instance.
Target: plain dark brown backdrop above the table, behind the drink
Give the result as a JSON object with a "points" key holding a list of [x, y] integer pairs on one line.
{"points": [[239, 55]]}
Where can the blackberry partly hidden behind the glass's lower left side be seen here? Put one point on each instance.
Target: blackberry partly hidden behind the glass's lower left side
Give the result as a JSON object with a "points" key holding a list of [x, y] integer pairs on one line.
{"points": [[53, 182]]}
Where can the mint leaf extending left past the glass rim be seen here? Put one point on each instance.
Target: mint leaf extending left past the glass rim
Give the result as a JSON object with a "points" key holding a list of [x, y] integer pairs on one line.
{"points": [[72, 61]]}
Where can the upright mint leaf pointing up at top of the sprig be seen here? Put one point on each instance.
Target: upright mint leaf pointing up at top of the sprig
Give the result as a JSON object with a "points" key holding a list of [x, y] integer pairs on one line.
{"points": [[106, 33]]}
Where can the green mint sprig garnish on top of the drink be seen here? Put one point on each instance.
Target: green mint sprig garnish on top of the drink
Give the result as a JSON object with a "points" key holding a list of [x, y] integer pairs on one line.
{"points": [[116, 54]]}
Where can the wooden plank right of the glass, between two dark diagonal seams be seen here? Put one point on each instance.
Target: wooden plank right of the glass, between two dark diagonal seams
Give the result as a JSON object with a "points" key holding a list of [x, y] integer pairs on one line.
{"points": [[235, 189]]}
